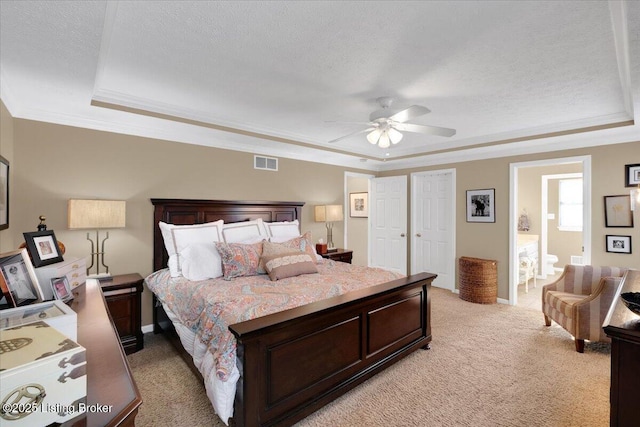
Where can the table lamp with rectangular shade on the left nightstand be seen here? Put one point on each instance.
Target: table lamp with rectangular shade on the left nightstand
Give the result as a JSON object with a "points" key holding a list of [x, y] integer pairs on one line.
{"points": [[96, 215]]}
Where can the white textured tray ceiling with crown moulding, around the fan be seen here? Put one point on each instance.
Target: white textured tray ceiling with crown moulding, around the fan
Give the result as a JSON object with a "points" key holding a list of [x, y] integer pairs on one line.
{"points": [[274, 77]]}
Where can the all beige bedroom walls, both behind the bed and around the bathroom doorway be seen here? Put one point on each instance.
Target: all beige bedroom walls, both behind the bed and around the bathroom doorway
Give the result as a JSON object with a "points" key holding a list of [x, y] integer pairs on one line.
{"points": [[52, 163]]}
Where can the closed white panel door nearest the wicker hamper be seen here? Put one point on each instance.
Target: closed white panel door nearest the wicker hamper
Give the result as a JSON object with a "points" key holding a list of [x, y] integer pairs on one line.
{"points": [[432, 225]]}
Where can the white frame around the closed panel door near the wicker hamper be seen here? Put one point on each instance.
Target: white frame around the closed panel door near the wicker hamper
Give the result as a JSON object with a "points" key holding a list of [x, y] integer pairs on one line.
{"points": [[452, 234]]}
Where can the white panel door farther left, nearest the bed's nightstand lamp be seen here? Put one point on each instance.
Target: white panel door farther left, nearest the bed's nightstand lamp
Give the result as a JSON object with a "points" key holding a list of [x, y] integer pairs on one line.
{"points": [[388, 219]]}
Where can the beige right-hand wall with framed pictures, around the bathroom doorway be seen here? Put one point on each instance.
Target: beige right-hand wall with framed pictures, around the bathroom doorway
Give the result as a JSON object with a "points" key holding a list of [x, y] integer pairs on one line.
{"points": [[491, 240]]}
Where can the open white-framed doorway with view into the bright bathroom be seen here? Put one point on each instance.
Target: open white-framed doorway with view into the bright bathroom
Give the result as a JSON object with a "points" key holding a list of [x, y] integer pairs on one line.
{"points": [[531, 217]]}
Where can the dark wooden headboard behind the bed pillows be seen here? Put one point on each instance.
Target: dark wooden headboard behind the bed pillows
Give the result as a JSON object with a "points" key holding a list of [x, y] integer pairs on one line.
{"points": [[185, 211]]}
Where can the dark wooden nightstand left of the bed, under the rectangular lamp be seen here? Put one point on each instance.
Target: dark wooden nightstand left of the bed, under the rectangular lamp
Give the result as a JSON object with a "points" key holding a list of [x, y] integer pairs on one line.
{"points": [[123, 294]]}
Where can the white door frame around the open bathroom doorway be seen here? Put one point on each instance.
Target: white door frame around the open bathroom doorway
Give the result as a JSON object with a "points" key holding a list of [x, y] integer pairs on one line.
{"points": [[513, 213]]}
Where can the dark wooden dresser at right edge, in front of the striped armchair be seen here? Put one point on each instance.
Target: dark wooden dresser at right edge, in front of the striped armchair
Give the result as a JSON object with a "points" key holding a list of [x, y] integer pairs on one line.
{"points": [[623, 327]]}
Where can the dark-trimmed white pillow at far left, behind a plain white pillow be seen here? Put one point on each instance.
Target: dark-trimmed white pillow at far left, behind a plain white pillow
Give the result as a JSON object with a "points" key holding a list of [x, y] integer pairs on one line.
{"points": [[178, 237]]}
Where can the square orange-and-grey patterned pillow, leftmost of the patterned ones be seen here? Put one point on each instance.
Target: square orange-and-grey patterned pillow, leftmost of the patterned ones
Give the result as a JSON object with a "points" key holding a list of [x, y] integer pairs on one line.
{"points": [[240, 259]]}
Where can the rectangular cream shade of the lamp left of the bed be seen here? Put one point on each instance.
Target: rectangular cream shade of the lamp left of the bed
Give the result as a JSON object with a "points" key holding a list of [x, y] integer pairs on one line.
{"points": [[96, 214]]}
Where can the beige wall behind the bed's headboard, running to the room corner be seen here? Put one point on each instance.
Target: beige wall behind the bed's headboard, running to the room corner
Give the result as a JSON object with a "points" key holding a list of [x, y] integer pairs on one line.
{"points": [[55, 163]]}
